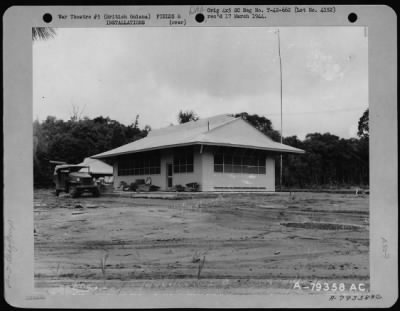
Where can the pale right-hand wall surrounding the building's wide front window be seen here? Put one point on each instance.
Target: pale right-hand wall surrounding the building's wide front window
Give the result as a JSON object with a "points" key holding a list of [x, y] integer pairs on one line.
{"points": [[211, 180]]}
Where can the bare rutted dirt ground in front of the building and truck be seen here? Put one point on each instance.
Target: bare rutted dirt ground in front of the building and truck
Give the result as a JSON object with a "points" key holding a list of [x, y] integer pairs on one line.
{"points": [[244, 243]]}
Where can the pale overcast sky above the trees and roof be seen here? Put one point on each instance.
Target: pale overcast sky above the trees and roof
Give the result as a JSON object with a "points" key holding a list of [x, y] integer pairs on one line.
{"points": [[155, 72]]}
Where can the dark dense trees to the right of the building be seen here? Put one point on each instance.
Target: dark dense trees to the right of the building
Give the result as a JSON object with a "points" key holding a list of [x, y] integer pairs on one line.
{"points": [[329, 161]]}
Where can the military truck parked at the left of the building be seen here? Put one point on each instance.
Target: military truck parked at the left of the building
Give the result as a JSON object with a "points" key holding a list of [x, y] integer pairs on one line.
{"points": [[74, 179]]}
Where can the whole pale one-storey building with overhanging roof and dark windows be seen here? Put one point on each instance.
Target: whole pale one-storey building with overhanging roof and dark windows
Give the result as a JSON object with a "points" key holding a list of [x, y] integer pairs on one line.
{"points": [[221, 153]]}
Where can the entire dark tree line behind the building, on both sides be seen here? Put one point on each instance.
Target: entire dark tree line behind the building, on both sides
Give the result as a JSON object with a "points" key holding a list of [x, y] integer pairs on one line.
{"points": [[329, 161]]}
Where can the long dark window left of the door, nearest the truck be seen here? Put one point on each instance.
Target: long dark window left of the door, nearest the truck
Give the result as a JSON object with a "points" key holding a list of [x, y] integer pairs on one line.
{"points": [[145, 163]]}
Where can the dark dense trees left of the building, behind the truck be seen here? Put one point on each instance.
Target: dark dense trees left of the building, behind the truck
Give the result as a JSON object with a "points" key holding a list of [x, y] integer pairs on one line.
{"points": [[71, 141]]}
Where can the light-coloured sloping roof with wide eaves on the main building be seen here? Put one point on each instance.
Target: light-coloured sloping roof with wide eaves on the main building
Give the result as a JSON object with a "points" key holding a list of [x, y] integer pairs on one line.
{"points": [[222, 130]]}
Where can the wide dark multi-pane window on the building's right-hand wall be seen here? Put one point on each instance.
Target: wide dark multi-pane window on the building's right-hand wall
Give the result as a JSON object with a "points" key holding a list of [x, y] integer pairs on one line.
{"points": [[239, 161]]}
